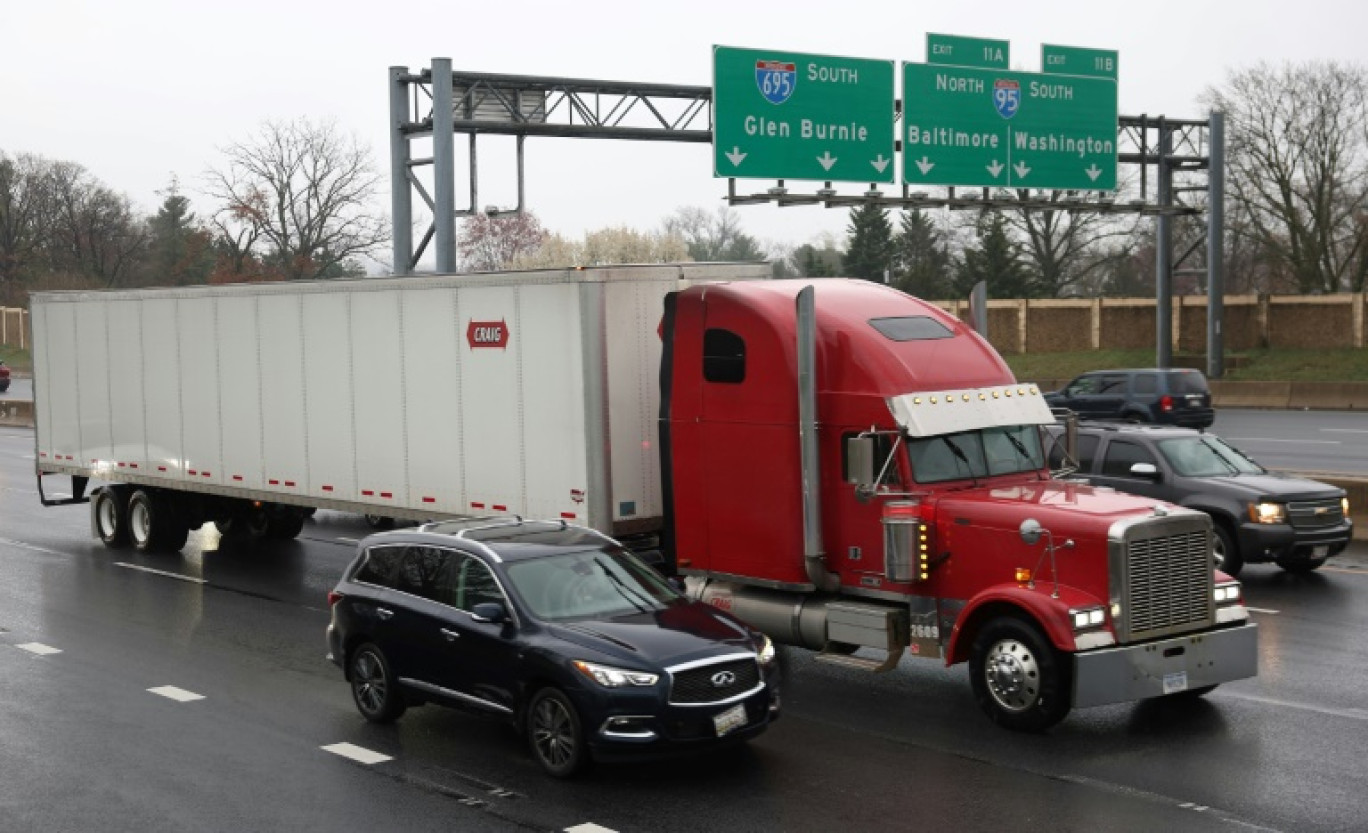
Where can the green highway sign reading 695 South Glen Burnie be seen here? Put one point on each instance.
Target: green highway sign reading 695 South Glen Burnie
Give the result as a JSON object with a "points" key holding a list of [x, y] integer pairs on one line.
{"points": [[790, 116]]}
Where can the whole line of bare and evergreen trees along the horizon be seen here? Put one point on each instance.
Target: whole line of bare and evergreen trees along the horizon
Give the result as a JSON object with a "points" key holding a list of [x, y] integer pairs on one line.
{"points": [[298, 200]]}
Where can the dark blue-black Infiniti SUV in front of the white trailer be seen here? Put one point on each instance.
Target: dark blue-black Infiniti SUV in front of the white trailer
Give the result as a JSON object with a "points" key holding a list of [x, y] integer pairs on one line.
{"points": [[585, 648]]}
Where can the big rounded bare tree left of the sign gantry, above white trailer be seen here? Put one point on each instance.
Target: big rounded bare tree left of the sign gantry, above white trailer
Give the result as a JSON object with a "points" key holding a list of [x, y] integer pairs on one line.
{"points": [[298, 200]]}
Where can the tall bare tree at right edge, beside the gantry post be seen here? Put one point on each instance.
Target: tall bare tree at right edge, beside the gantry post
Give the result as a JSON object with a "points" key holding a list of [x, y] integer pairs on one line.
{"points": [[1298, 168]]}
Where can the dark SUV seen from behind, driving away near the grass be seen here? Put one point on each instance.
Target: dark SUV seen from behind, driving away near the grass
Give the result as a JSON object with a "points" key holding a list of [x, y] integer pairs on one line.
{"points": [[1169, 397]]}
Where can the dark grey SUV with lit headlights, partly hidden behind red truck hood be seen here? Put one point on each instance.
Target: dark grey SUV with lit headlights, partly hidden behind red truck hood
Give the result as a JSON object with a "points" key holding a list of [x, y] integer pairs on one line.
{"points": [[1258, 515]]}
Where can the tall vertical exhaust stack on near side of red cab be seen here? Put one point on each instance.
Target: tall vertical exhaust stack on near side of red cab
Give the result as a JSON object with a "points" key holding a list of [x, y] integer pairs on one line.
{"points": [[815, 557]]}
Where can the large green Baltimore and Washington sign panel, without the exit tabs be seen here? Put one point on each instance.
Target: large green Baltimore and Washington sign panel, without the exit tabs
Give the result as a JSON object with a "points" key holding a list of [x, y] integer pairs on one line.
{"points": [[1006, 129]]}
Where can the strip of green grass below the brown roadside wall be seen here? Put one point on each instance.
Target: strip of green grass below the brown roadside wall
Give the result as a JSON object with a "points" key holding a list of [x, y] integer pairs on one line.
{"points": [[1345, 365]]}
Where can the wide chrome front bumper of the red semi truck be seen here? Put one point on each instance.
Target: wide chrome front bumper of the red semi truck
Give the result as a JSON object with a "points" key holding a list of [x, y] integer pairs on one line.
{"points": [[1166, 667]]}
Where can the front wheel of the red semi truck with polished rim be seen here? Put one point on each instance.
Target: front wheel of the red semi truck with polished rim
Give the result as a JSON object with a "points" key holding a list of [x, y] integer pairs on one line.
{"points": [[1018, 678]]}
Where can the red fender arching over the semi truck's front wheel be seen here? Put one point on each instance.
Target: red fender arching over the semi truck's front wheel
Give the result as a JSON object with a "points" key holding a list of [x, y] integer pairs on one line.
{"points": [[1036, 605]]}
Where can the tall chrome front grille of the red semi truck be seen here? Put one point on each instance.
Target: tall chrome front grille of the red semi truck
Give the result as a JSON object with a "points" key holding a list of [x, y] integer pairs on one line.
{"points": [[1168, 578]]}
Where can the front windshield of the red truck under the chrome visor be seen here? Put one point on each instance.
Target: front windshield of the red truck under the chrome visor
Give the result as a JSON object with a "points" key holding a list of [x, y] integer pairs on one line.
{"points": [[1003, 451]]}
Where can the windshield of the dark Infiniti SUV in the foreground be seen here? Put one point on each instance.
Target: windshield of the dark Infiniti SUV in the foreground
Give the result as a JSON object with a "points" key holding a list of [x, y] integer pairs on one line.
{"points": [[592, 583]]}
